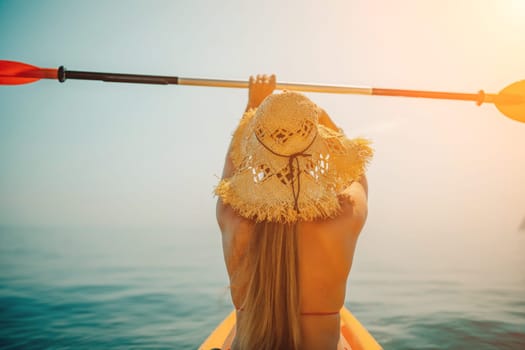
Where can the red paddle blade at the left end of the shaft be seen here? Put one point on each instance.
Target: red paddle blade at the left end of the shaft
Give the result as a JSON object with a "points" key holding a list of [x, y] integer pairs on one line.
{"points": [[17, 73]]}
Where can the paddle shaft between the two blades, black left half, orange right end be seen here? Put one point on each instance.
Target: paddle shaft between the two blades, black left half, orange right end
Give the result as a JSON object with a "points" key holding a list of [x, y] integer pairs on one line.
{"points": [[64, 74]]}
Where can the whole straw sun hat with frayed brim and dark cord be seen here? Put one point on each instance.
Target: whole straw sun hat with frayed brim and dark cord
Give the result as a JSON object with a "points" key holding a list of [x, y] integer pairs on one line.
{"points": [[288, 167]]}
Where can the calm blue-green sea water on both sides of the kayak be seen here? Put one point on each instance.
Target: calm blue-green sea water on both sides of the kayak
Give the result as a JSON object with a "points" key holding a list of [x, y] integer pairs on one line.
{"points": [[118, 289]]}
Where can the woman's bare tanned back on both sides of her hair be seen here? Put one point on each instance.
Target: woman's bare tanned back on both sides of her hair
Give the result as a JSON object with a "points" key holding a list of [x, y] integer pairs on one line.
{"points": [[326, 249]]}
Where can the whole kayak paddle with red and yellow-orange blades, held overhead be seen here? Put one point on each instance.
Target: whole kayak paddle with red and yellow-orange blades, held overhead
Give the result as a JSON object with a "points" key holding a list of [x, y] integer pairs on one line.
{"points": [[510, 101]]}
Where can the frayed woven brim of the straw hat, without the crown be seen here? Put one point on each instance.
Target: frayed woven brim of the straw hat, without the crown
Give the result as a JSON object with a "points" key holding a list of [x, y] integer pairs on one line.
{"points": [[260, 187]]}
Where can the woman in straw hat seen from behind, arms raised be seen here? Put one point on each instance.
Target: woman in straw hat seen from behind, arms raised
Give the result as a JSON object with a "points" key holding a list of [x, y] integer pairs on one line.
{"points": [[292, 202]]}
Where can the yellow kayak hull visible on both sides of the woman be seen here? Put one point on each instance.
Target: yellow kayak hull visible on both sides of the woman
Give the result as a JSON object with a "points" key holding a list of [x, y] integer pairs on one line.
{"points": [[353, 335]]}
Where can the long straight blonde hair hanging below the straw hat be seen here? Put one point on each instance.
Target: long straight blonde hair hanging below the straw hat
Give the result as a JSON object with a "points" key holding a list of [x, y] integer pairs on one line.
{"points": [[271, 307]]}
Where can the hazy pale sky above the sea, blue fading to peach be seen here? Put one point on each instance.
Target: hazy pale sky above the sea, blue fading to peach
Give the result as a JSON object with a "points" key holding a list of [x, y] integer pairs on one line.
{"points": [[117, 155]]}
